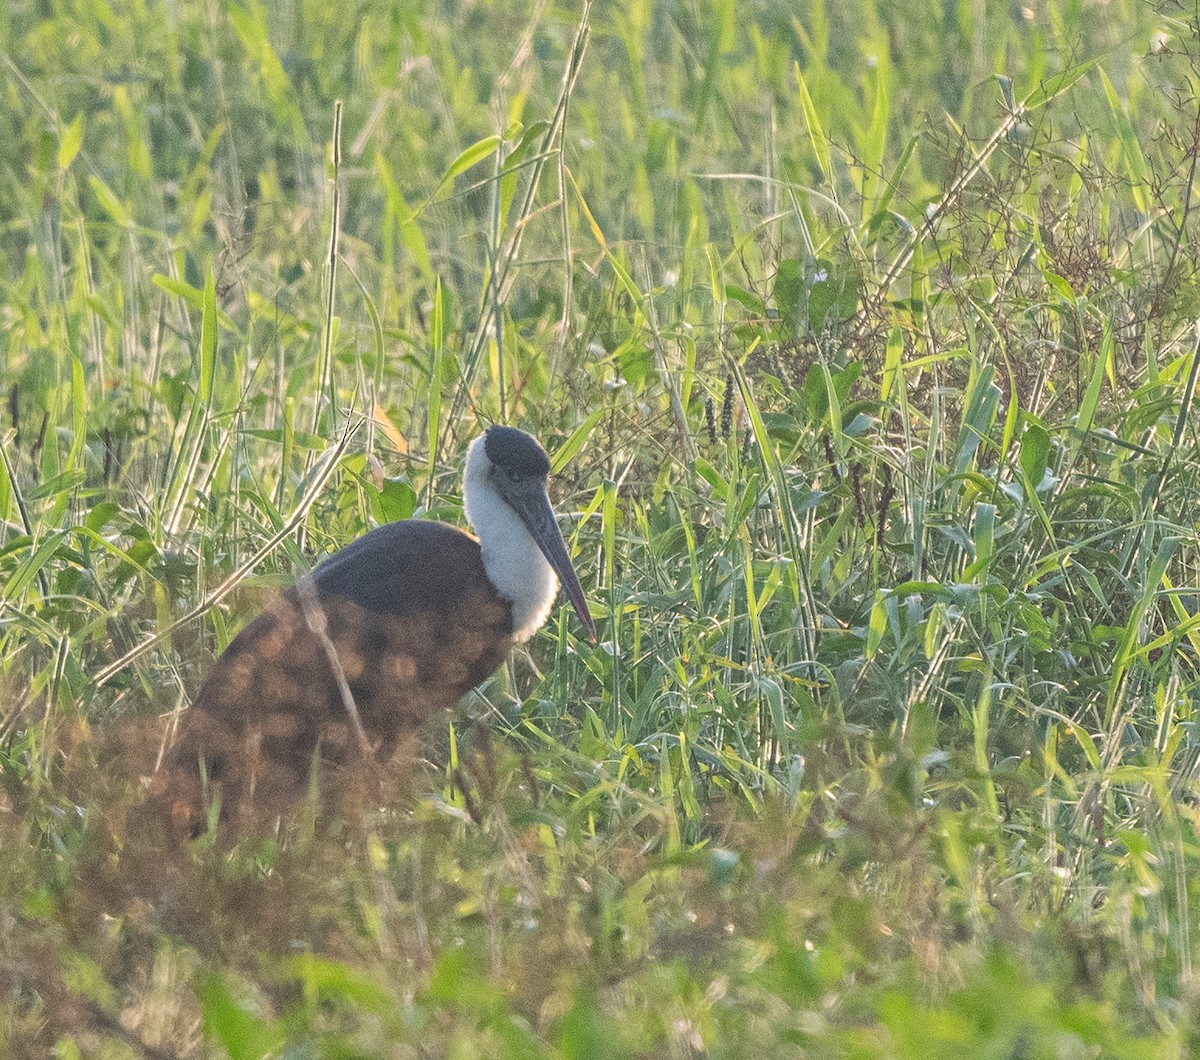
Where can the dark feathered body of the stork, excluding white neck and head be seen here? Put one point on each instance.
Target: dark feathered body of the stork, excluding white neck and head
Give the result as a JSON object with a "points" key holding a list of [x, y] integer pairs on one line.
{"points": [[388, 632]]}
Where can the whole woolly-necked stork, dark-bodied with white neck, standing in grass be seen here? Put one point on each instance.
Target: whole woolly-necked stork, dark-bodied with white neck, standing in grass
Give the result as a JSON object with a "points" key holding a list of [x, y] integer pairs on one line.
{"points": [[382, 636]]}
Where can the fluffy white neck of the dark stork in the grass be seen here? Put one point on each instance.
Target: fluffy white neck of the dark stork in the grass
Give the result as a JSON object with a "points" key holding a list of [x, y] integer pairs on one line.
{"points": [[512, 558]]}
